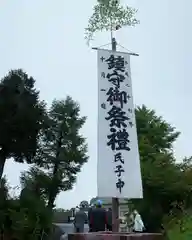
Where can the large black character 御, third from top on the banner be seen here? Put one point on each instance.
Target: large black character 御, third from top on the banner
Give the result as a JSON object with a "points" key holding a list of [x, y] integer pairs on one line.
{"points": [[117, 96]]}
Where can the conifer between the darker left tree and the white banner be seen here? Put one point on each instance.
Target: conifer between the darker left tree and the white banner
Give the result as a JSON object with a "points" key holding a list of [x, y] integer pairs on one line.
{"points": [[62, 151]]}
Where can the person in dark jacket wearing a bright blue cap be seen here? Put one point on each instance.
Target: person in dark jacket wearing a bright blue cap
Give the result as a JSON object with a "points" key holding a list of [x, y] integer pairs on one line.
{"points": [[98, 218]]}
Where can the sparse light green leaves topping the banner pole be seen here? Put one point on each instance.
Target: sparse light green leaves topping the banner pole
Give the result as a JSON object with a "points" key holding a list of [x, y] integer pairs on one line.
{"points": [[109, 15]]}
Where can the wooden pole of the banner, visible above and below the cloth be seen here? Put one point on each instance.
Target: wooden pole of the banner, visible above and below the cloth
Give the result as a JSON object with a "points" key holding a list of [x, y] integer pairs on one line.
{"points": [[115, 201]]}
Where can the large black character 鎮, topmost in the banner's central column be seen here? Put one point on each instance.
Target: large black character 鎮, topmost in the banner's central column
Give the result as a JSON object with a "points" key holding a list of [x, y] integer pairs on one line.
{"points": [[116, 62]]}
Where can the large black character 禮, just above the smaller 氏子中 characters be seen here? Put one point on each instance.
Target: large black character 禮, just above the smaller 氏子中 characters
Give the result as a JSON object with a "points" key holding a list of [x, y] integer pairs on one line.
{"points": [[119, 138]]}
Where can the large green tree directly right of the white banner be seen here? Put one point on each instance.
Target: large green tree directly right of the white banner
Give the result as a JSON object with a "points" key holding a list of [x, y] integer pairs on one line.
{"points": [[162, 178]]}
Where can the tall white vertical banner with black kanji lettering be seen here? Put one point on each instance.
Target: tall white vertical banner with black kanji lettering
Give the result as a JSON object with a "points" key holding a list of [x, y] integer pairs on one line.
{"points": [[118, 169]]}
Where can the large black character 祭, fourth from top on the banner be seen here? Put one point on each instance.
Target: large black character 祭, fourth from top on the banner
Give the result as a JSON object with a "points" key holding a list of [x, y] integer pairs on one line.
{"points": [[117, 117]]}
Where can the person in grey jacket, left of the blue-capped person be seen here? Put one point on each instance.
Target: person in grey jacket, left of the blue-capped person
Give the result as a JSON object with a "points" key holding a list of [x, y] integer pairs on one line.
{"points": [[80, 220]]}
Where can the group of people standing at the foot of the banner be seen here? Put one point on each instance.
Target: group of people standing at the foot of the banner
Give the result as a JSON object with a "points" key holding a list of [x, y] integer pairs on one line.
{"points": [[99, 219]]}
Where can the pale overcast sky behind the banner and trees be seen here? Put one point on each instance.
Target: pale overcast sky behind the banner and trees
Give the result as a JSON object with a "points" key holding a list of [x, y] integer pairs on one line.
{"points": [[46, 39]]}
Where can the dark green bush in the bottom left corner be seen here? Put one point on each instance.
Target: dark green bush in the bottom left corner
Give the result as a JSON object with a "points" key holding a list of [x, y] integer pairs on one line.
{"points": [[24, 218]]}
